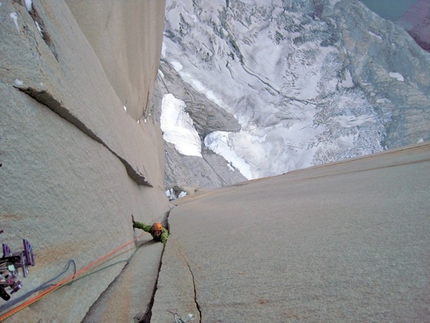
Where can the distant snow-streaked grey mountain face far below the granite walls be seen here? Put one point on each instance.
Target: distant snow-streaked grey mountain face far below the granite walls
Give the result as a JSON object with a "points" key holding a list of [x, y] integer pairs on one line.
{"points": [[307, 82]]}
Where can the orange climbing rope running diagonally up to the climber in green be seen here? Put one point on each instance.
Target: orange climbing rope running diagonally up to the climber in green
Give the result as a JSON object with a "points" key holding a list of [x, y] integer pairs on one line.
{"points": [[64, 281]]}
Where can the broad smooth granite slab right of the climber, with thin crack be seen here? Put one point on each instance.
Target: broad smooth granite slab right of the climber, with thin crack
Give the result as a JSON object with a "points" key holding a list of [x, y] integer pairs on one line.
{"points": [[342, 242]]}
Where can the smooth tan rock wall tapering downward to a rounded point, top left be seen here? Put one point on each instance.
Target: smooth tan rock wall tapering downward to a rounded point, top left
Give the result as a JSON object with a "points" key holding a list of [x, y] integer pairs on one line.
{"points": [[126, 36]]}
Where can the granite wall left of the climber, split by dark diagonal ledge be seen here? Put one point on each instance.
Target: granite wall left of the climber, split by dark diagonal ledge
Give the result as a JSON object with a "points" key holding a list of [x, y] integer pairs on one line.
{"points": [[80, 149]]}
